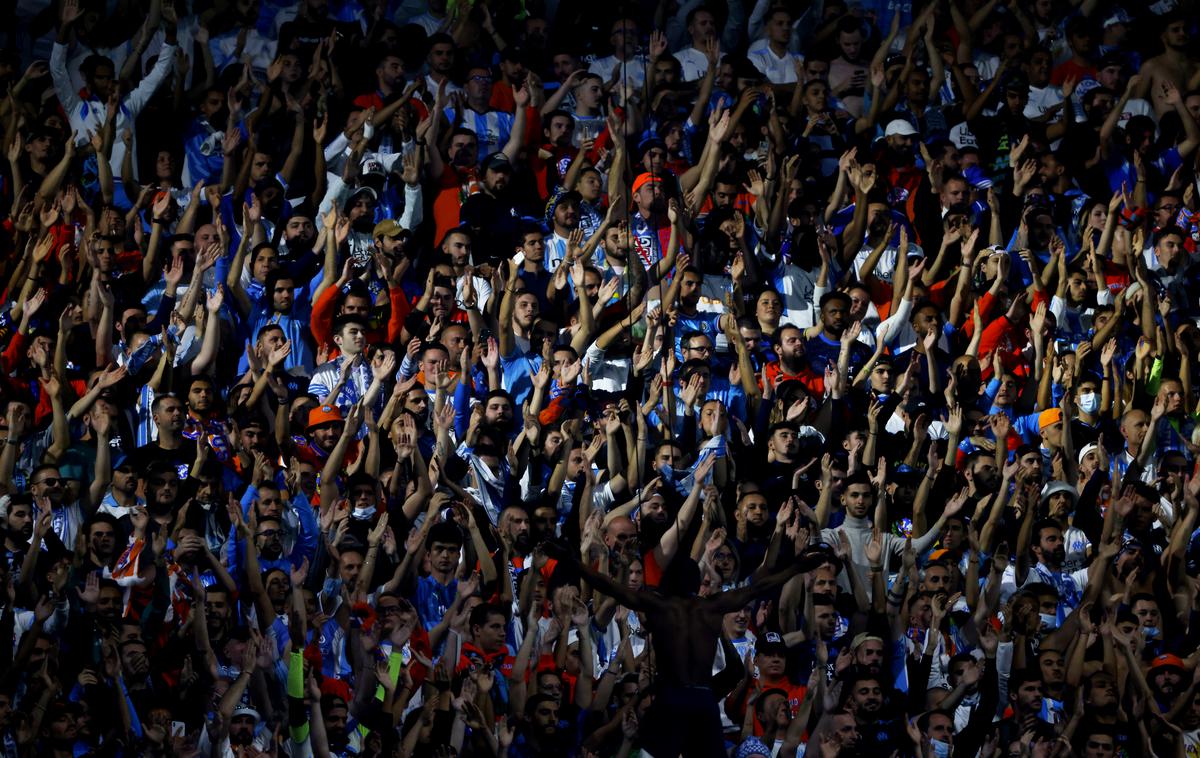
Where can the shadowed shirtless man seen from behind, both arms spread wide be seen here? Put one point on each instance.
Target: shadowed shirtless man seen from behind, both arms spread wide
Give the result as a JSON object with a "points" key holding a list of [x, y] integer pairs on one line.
{"points": [[674, 613]]}
